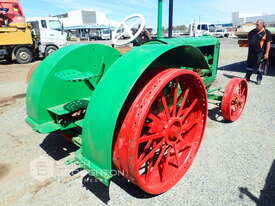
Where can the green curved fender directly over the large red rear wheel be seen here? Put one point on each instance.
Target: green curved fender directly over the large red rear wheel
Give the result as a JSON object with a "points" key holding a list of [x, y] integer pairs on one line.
{"points": [[111, 93]]}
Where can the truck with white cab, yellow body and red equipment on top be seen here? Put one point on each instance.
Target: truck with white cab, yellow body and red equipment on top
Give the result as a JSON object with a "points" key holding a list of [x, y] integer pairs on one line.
{"points": [[25, 40]]}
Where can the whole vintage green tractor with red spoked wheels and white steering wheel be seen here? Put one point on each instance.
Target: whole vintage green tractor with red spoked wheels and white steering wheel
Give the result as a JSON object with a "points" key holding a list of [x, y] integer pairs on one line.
{"points": [[142, 113]]}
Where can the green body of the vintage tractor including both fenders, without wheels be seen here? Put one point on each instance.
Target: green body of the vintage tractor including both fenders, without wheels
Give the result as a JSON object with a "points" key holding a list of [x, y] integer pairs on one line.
{"points": [[82, 90]]}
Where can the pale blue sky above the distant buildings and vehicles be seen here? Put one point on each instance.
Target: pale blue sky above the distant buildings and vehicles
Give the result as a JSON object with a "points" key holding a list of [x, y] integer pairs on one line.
{"points": [[212, 11]]}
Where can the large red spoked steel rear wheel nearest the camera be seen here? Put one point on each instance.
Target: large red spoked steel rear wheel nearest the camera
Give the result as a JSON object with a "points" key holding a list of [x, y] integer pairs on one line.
{"points": [[162, 131]]}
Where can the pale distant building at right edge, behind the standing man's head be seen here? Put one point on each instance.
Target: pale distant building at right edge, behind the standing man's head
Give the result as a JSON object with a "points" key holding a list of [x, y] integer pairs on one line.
{"points": [[239, 18]]}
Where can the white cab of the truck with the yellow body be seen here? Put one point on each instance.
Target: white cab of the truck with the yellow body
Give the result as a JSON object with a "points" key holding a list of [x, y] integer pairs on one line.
{"points": [[49, 33]]}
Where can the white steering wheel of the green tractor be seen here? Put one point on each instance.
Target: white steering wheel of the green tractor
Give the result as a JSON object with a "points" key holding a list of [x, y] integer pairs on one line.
{"points": [[124, 29]]}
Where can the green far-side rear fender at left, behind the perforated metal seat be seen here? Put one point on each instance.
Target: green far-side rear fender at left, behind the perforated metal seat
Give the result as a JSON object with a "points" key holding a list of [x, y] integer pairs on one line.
{"points": [[45, 90]]}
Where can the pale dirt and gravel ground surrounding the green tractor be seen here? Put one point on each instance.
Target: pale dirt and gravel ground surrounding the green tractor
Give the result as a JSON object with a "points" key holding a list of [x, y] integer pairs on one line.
{"points": [[235, 165]]}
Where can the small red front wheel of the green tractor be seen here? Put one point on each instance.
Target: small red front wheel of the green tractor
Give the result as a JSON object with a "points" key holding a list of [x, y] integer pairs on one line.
{"points": [[234, 99]]}
